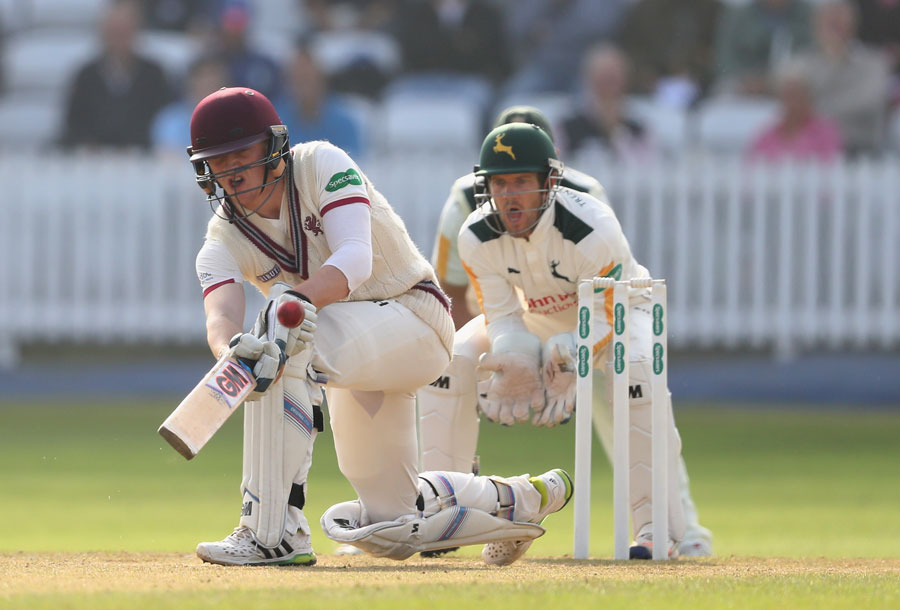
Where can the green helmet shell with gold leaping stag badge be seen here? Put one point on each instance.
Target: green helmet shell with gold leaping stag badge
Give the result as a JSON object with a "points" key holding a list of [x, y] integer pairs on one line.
{"points": [[516, 148]]}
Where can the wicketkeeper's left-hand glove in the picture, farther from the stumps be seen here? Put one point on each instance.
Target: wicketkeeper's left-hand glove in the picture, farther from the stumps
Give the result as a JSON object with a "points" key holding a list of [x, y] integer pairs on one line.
{"points": [[514, 386]]}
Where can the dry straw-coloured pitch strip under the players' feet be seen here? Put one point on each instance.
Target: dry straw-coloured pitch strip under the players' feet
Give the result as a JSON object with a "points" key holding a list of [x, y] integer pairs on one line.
{"points": [[42, 573]]}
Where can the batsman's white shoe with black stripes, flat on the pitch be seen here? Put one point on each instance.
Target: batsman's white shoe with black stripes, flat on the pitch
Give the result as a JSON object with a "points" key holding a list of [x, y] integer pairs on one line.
{"points": [[241, 548]]}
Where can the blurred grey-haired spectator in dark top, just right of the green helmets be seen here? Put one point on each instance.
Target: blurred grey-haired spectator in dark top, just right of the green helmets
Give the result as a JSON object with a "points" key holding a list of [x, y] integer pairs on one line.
{"points": [[602, 121]]}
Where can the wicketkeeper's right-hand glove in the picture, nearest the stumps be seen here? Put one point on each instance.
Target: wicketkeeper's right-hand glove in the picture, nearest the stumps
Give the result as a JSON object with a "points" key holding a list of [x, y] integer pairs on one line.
{"points": [[558, 372]]}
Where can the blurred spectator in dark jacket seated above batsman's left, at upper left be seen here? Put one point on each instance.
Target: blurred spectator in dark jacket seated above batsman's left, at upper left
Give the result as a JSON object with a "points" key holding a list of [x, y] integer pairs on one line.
{"points": [[115, 96]]}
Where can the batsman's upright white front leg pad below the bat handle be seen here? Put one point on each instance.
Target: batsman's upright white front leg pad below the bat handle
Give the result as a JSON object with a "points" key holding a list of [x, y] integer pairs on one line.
{"points": [[279, 434]]}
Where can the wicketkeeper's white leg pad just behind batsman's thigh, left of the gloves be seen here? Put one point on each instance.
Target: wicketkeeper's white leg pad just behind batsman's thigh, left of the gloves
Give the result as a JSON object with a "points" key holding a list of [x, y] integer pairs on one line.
{"points": [[448, 419]]}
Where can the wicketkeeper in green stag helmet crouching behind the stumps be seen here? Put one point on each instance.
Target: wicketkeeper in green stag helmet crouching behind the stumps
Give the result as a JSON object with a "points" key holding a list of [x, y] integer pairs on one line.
{"points": [[525, 248]]}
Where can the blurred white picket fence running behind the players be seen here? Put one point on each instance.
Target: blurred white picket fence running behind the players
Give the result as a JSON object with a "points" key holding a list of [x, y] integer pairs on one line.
{"points": [[101, 249]]}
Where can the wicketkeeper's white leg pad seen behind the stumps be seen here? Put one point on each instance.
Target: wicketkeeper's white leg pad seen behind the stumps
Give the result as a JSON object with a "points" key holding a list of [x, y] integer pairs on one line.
{"points": [[641, 470]]}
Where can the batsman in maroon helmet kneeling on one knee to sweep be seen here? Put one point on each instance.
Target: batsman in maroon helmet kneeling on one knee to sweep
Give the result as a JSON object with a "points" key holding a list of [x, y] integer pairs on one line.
{"points": [[305, 226]]}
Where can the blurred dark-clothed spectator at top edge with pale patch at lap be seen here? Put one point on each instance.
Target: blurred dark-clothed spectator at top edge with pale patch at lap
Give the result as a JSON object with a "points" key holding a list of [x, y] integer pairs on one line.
{"points": [[670, 47]]}
